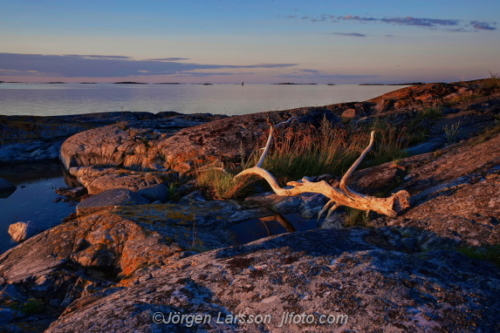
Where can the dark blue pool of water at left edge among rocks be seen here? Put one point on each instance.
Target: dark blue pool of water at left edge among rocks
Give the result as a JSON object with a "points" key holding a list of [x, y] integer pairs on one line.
{"points": [[34, 198]]}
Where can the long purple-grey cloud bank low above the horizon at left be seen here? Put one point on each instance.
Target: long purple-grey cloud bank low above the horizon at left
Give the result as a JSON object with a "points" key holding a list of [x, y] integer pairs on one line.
{"points": [[72, 66]]}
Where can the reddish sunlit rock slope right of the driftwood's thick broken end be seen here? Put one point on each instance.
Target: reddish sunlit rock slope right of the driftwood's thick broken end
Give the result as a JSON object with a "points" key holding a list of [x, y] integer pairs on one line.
{"points": [[455, 194]]}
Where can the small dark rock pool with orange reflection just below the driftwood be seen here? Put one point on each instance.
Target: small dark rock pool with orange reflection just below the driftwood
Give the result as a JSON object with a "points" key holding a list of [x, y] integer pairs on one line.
{"points": [[251, 230]]}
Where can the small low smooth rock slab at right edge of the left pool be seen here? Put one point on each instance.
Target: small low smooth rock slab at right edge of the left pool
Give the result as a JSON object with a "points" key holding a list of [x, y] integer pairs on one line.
{"points": [[108, 199]]}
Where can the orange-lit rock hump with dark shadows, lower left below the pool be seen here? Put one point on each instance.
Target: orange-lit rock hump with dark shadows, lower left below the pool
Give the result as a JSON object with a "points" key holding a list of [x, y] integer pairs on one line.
{"points": [[86, 256]]}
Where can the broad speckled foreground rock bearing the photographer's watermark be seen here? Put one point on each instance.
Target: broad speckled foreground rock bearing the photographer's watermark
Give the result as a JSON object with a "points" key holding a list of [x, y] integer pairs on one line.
{"points": [[323, 272]]}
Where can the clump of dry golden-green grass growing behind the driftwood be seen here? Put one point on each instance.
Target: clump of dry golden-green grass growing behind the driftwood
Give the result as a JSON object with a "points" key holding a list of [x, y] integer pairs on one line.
{"points": [[310, 151]]}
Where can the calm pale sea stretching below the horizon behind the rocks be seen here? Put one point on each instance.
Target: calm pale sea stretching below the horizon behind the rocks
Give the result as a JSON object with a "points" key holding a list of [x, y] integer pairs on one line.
{"points": [[63, 99]]}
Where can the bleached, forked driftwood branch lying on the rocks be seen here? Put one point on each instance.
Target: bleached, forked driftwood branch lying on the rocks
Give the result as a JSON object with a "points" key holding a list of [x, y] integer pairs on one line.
{"points": [[339, 196]]}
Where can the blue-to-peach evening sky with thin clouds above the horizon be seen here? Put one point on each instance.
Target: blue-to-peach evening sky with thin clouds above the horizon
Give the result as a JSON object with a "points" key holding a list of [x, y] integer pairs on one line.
{"points": [[257, 41]]}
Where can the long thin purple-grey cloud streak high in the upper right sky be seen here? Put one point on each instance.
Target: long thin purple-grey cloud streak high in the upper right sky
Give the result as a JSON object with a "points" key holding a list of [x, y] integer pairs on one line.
{"points": [[423, 22]]}
